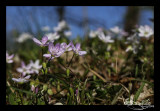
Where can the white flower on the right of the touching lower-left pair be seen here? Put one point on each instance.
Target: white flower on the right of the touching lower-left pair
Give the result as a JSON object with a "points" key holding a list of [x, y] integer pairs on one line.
{"points": [[35, 67]]}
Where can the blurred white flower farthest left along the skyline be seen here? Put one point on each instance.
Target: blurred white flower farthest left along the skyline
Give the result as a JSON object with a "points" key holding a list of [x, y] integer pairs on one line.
{"points": [[23, 37]]}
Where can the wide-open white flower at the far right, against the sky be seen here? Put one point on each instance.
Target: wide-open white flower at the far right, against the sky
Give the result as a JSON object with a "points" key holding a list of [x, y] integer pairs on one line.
{"points": [[145, 31]]}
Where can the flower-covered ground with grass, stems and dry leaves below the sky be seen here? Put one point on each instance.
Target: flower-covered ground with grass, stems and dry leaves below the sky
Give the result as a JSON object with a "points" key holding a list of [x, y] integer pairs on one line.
{"points": [[108, 67]]}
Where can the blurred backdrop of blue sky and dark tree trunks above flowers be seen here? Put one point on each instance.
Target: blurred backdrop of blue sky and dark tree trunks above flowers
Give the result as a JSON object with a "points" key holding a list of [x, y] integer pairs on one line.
{"points": [[80, 19]]}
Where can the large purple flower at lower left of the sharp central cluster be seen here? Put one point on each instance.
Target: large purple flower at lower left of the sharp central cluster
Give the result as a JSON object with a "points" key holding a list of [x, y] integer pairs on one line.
{"points": [[55, 51]]}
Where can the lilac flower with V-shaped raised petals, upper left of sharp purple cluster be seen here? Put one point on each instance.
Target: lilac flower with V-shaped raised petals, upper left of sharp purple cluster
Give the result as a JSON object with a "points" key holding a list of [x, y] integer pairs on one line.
{"points": [[42, 42]]}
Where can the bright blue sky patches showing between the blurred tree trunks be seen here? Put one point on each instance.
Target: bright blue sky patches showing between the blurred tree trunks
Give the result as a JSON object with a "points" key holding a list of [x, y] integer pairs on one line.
{"points": [[109, 15]]}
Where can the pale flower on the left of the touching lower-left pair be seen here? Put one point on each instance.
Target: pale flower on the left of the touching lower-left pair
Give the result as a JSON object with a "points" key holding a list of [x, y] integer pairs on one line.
{"points": [[24, 69]]}
